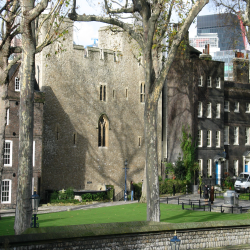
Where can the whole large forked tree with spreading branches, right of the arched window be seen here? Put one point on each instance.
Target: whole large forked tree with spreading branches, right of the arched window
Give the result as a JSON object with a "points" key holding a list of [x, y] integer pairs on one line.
{"points": [[153, 25]]}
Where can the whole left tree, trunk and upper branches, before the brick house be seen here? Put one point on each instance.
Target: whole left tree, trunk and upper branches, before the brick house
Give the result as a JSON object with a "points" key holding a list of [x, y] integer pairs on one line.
{"points": [[29, 26]]}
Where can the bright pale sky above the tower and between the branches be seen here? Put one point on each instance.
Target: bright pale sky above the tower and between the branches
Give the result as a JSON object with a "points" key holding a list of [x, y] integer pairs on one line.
{"points": [[85, 31]]}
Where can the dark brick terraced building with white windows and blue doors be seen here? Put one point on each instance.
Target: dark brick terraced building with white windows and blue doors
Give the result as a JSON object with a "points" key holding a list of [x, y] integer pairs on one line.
{"points": [[215, 111]]}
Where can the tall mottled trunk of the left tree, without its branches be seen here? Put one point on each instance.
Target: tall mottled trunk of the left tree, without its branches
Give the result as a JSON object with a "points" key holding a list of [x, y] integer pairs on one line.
{"points": [[26, 123]]}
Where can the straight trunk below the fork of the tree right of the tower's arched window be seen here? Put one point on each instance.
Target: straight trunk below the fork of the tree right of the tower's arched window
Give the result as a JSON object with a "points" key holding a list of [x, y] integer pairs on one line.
{"points": [[152, 181]]}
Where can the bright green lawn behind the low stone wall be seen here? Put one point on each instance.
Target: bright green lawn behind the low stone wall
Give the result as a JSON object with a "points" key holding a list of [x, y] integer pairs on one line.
{"points": [[123, 213]]}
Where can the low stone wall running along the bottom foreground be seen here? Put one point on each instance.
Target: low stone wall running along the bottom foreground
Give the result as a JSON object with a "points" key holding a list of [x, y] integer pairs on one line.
{"points": [[190, 239]]}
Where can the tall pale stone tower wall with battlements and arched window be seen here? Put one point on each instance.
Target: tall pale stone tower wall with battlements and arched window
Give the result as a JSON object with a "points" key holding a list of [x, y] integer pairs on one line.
{"points": [[71, 81]]}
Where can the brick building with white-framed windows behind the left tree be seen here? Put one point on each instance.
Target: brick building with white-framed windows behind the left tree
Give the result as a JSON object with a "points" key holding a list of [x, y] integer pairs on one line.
{"points": [[10, 170]]}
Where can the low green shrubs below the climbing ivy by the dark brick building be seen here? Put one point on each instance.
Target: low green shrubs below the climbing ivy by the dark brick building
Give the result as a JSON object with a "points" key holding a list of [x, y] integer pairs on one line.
{"points": [[166, 186]]}
